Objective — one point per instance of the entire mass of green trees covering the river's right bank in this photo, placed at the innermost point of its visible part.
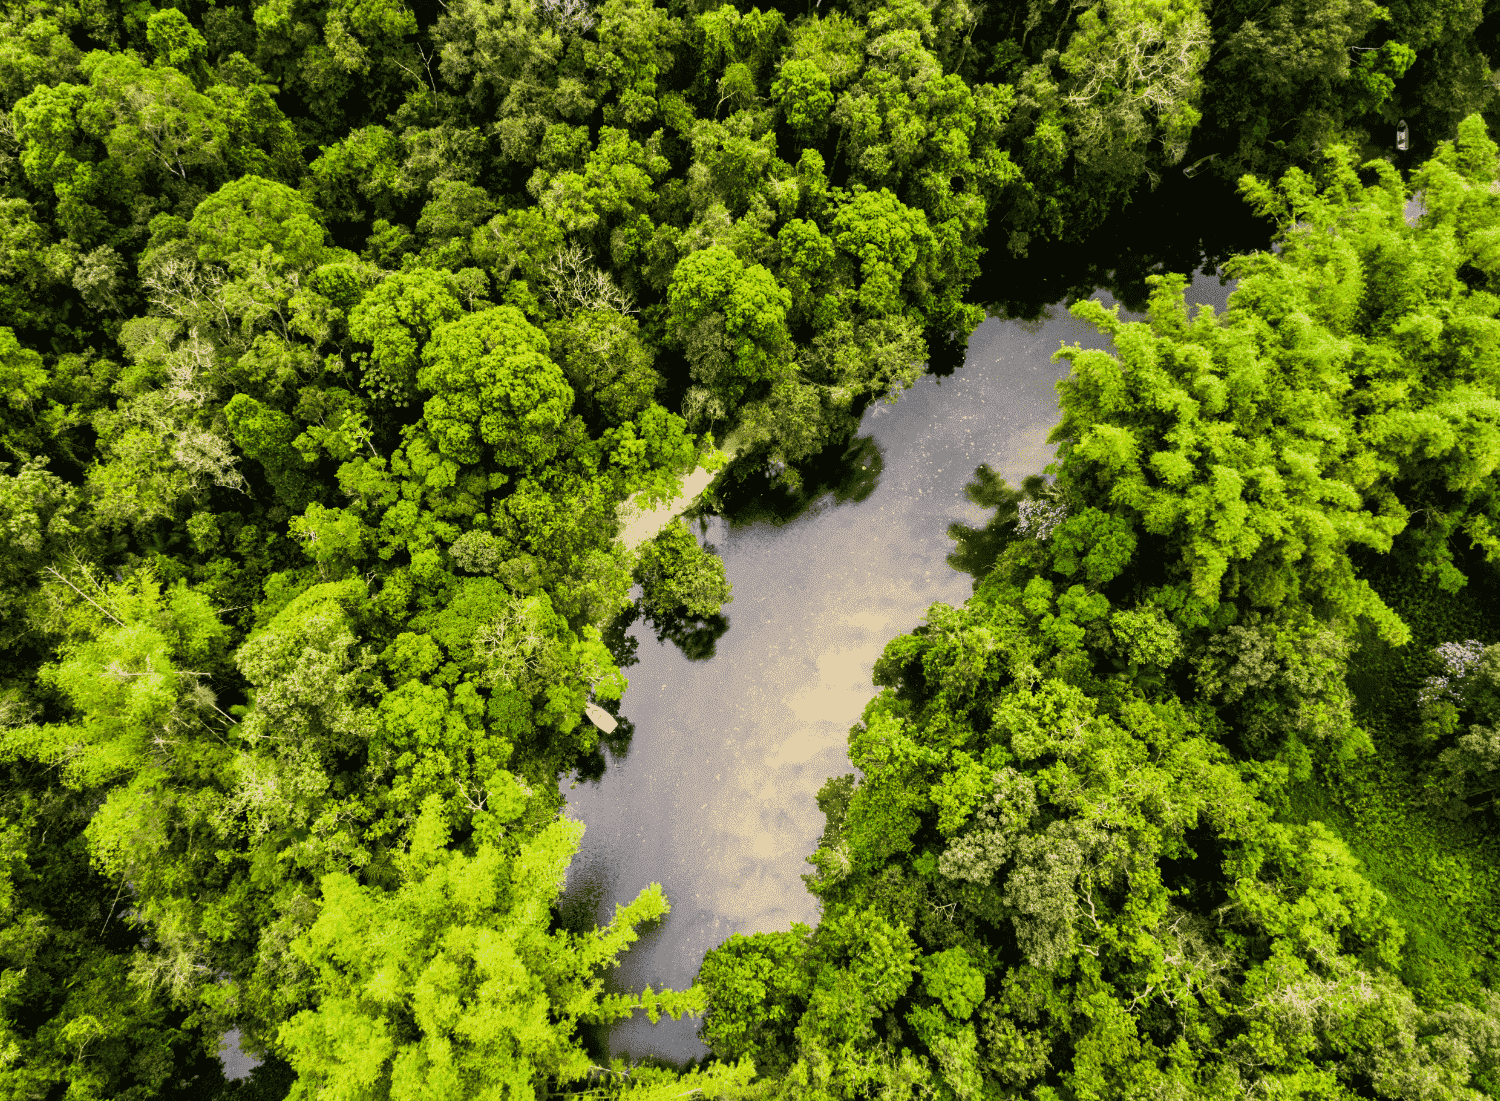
(1183, 803)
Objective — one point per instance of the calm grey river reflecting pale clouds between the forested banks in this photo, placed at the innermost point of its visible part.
(715, 797)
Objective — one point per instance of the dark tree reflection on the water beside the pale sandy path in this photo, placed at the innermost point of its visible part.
(842, 473)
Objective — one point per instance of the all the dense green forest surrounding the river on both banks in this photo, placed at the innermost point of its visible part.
(334, 335)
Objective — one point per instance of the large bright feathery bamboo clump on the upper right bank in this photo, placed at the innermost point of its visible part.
(1231, 442)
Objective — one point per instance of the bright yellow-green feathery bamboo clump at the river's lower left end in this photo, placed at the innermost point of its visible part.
(452, 986)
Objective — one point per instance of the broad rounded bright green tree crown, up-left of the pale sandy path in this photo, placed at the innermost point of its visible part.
(493, 383)
